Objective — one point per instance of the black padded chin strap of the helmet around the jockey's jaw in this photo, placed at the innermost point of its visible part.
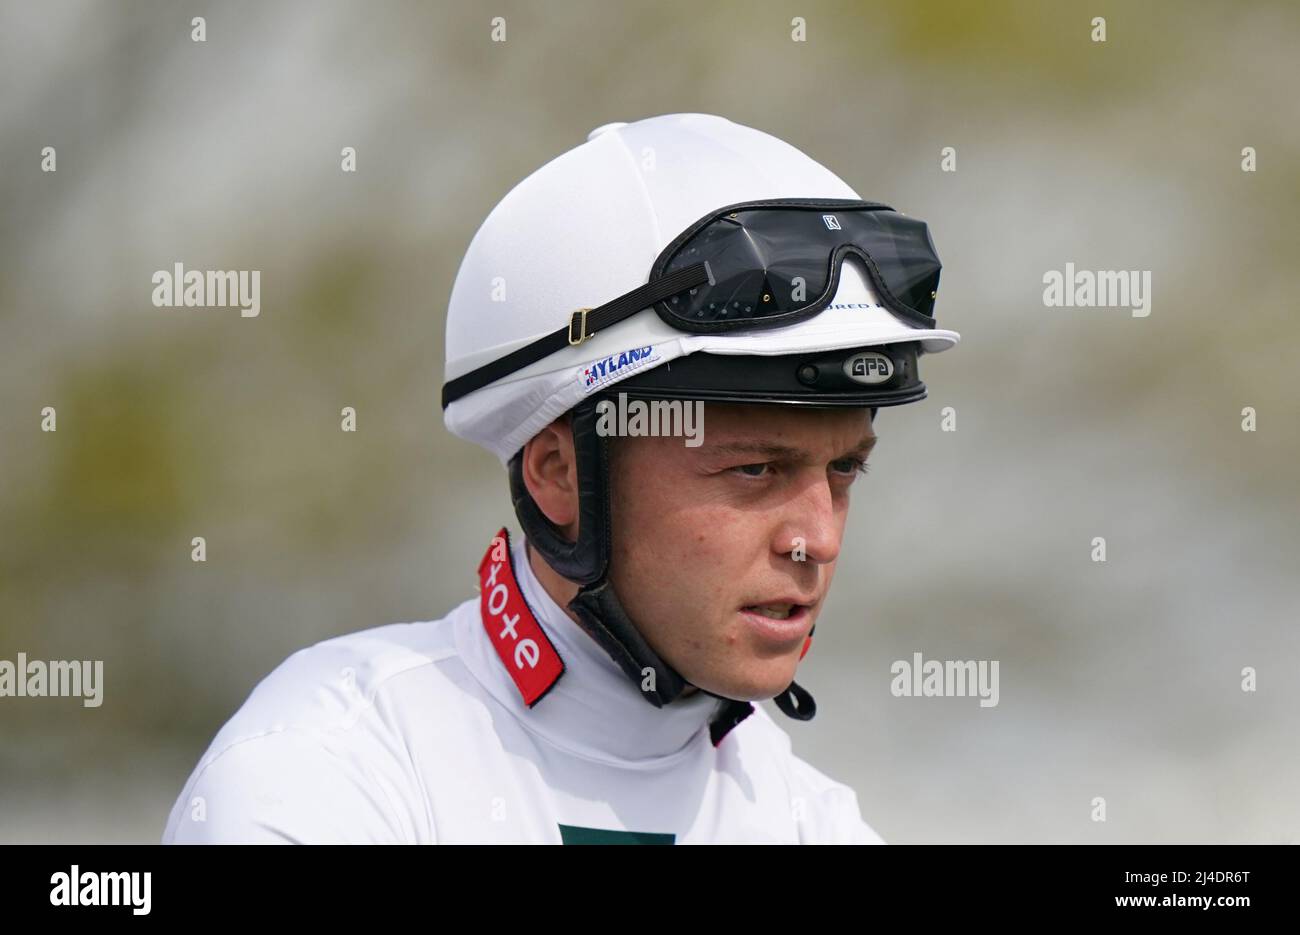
(596, 605)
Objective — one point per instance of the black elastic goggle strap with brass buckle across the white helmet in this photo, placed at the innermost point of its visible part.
(590, 321)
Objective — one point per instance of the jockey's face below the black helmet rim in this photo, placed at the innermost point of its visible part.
(708, 542)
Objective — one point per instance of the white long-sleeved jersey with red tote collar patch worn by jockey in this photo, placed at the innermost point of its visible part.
(421, 734)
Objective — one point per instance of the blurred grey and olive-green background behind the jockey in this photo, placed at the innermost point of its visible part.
(1119, 679)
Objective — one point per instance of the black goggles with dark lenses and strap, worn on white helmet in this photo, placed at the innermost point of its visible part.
(756, 266)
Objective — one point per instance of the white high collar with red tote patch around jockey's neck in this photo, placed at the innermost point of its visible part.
(561, 685)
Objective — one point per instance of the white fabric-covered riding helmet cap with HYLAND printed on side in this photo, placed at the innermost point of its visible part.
(587, 228)
